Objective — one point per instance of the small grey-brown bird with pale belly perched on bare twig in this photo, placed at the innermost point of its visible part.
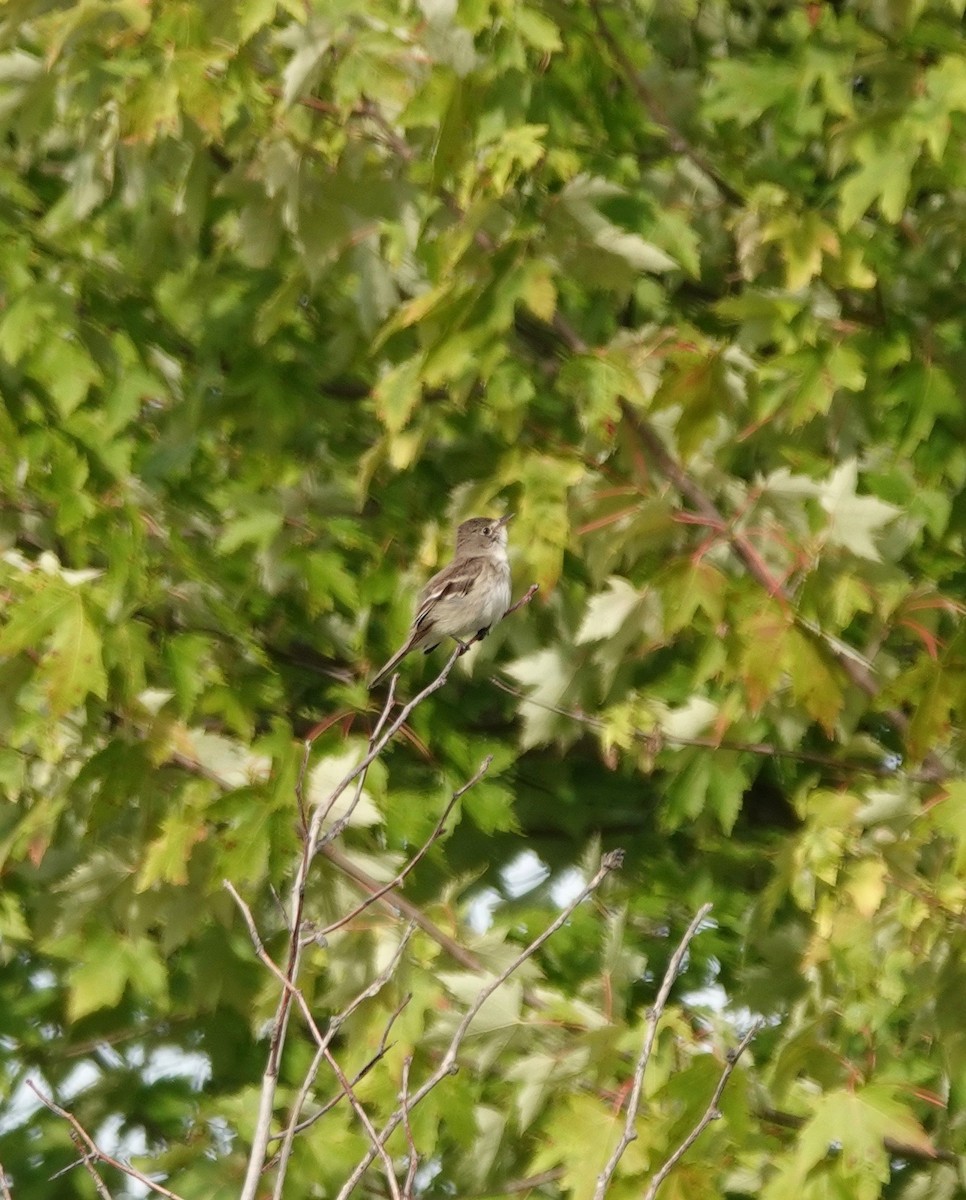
(467, 597)
